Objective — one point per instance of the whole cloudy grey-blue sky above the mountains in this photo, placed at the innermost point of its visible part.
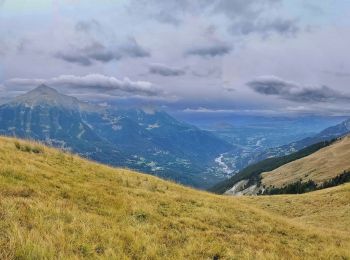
(260, 57)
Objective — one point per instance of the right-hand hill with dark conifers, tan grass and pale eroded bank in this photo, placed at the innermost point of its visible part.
(307, 169)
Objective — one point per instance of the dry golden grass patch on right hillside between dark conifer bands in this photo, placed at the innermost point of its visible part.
(321, 166)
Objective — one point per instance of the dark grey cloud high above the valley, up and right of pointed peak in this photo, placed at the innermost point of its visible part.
(96, 51)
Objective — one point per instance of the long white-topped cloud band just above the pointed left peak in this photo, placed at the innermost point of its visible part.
(91, 82)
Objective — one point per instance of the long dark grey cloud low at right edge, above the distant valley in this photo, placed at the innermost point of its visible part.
(274, 86)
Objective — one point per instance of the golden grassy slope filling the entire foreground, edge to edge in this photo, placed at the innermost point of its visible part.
(58, 205)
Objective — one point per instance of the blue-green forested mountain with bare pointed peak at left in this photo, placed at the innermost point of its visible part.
(145, 140)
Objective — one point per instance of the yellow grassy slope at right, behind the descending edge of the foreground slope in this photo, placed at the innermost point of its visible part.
(327, 209)
